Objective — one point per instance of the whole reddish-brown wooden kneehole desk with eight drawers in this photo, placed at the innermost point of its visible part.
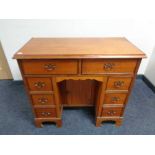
(73, 72)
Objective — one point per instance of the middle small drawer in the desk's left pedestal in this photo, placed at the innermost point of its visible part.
(43, 99)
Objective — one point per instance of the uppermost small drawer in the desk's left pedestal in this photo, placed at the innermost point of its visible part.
(39, 84)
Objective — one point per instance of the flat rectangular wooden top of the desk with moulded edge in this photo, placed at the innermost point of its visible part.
(74, 48)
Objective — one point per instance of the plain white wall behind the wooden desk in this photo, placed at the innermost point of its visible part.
(15, 33)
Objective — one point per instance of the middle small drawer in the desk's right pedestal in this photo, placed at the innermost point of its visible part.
(115, 98)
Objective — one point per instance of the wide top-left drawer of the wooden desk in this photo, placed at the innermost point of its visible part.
(50, 66)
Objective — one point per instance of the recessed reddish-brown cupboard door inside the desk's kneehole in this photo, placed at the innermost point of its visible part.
(72, 96)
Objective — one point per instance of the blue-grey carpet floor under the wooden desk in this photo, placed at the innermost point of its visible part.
(16, 116)
